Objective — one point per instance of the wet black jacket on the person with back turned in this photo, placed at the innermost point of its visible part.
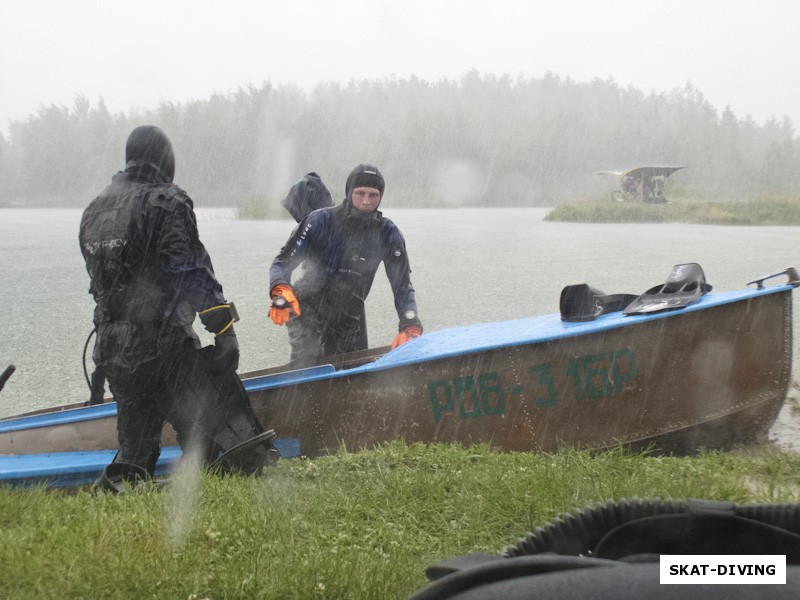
(149, 271)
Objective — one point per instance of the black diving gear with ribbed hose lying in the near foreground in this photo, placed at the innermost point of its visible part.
(613, 552)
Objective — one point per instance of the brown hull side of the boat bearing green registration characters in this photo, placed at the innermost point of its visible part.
(707, 378)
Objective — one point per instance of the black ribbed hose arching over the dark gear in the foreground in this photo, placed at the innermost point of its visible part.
(578, 532)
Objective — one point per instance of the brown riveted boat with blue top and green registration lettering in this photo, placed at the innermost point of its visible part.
(712, 374)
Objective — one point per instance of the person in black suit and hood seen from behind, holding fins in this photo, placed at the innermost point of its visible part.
(150, 275)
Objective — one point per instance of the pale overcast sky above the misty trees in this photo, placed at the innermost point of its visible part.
(742, 53)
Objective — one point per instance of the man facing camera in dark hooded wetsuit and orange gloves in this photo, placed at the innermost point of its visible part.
(341, 249)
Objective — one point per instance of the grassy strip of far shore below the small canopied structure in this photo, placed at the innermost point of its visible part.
(760, 211)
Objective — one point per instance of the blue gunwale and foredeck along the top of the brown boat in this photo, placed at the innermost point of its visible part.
(469, 339)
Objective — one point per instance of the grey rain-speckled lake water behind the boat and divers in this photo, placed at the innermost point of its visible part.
(468, 265)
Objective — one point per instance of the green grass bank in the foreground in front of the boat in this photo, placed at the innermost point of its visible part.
(353, 525)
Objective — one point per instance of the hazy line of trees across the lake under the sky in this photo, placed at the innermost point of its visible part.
(480, 140)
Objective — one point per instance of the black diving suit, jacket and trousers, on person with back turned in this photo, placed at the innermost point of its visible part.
(149, 275)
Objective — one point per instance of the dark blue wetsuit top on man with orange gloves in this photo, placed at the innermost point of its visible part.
(341, 249)
